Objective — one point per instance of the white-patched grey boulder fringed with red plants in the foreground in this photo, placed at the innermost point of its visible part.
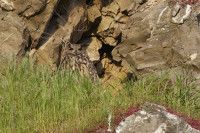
(154, 118)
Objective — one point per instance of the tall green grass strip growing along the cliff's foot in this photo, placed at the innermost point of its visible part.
(34, 100)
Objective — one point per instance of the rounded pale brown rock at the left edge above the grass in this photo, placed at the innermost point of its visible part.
(14, 36)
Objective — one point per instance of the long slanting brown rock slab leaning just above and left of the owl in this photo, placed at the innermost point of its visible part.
(71, 30)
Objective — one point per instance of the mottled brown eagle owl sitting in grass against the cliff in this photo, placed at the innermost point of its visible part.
(75, 56)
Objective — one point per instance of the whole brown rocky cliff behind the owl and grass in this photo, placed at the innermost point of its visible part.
(124, 38)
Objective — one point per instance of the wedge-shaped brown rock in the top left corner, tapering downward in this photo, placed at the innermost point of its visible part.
(36, 14)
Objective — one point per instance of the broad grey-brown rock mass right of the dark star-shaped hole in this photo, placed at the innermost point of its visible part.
(150, 40)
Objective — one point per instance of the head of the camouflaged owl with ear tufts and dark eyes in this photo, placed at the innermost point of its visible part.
(74, 49)
